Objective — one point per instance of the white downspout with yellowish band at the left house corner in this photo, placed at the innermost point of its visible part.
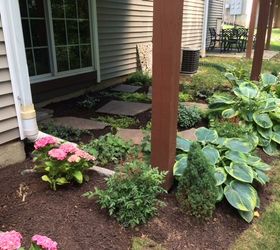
(14, 41)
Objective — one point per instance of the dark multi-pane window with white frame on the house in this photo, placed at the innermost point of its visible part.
(57, 36)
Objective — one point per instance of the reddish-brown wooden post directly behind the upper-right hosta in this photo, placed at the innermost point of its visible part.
(260, 39)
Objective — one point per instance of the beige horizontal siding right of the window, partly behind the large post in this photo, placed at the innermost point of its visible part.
(122, 25)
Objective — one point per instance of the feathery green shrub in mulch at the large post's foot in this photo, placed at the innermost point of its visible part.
(131, 193)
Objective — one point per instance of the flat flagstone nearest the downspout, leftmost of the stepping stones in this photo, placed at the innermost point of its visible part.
(77, 123)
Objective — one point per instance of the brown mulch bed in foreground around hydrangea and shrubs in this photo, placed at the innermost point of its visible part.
(78, 223)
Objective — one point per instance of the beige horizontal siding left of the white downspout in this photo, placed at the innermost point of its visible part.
(8, 119)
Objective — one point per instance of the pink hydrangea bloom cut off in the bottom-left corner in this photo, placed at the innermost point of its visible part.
(10, 240)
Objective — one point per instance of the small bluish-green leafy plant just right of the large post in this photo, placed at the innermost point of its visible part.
(188, 116)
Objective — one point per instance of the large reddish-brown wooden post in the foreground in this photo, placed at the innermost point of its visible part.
(167, 32)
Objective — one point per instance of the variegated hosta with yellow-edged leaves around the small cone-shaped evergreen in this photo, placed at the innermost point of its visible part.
(236, 168)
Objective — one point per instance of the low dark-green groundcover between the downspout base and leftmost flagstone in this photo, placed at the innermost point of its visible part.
(65, 133)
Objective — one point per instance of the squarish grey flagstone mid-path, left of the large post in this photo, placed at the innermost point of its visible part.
(124, 108)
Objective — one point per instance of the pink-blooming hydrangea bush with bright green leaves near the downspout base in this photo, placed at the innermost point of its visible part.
(61, 163)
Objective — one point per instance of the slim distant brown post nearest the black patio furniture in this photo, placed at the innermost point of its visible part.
(252, 28)
